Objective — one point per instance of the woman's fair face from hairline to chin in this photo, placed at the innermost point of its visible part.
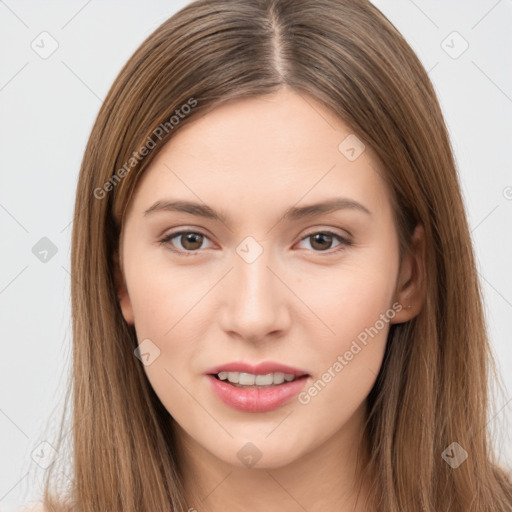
(255, 274)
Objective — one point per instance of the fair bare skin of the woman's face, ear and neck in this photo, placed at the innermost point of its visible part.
(302, 302)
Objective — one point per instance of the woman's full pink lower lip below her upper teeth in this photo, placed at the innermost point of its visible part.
(256, 400)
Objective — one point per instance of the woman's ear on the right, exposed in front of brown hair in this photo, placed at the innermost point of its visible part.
(410, 288)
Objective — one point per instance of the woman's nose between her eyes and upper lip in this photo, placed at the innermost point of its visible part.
(256, 301)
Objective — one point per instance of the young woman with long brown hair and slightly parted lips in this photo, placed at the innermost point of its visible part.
(275, 301)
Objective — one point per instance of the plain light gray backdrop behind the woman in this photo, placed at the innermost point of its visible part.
(47, 108)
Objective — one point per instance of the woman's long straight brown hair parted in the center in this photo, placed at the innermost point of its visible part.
(432, 389)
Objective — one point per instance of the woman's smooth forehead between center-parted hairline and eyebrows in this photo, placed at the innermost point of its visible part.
(258, 152)
